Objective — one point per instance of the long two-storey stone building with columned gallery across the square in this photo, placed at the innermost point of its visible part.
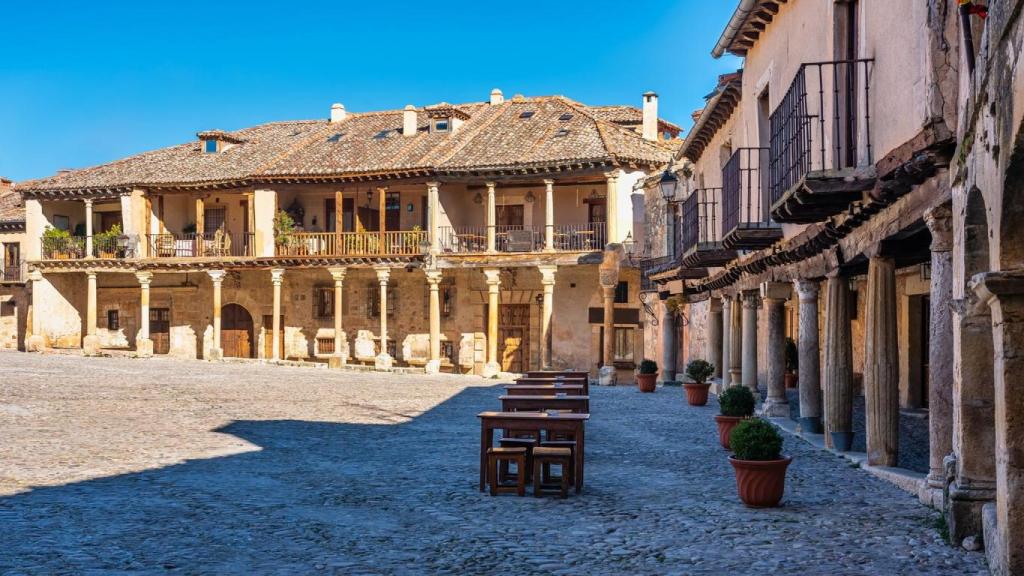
(476, 238)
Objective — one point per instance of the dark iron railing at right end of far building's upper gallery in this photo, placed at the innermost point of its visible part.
(570, 238)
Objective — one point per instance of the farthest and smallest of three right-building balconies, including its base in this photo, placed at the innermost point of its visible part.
(702, 244)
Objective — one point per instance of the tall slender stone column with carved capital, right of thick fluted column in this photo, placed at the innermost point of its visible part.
(941, 346)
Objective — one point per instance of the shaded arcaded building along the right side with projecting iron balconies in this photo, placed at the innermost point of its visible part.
(857, 190)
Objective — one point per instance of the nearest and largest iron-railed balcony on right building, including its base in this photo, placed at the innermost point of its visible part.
(820, 133)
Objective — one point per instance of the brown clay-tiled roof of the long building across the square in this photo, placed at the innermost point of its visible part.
(500, 137)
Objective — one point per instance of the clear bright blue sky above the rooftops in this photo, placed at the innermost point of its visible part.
(82, 84)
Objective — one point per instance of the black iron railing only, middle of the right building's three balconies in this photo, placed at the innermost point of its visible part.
(744, 190)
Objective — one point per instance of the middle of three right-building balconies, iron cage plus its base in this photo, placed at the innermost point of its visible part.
(746, 223)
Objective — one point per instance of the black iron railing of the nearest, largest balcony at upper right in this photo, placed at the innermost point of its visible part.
(823, 122)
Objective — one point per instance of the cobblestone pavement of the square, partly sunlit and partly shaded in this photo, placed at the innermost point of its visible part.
(114, 466)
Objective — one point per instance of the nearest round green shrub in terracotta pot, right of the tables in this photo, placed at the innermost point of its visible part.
(758, 461)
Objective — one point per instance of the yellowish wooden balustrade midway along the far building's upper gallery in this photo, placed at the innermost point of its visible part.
(405, 243)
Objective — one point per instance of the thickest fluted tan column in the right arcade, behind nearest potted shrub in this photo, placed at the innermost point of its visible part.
(882, 367)
